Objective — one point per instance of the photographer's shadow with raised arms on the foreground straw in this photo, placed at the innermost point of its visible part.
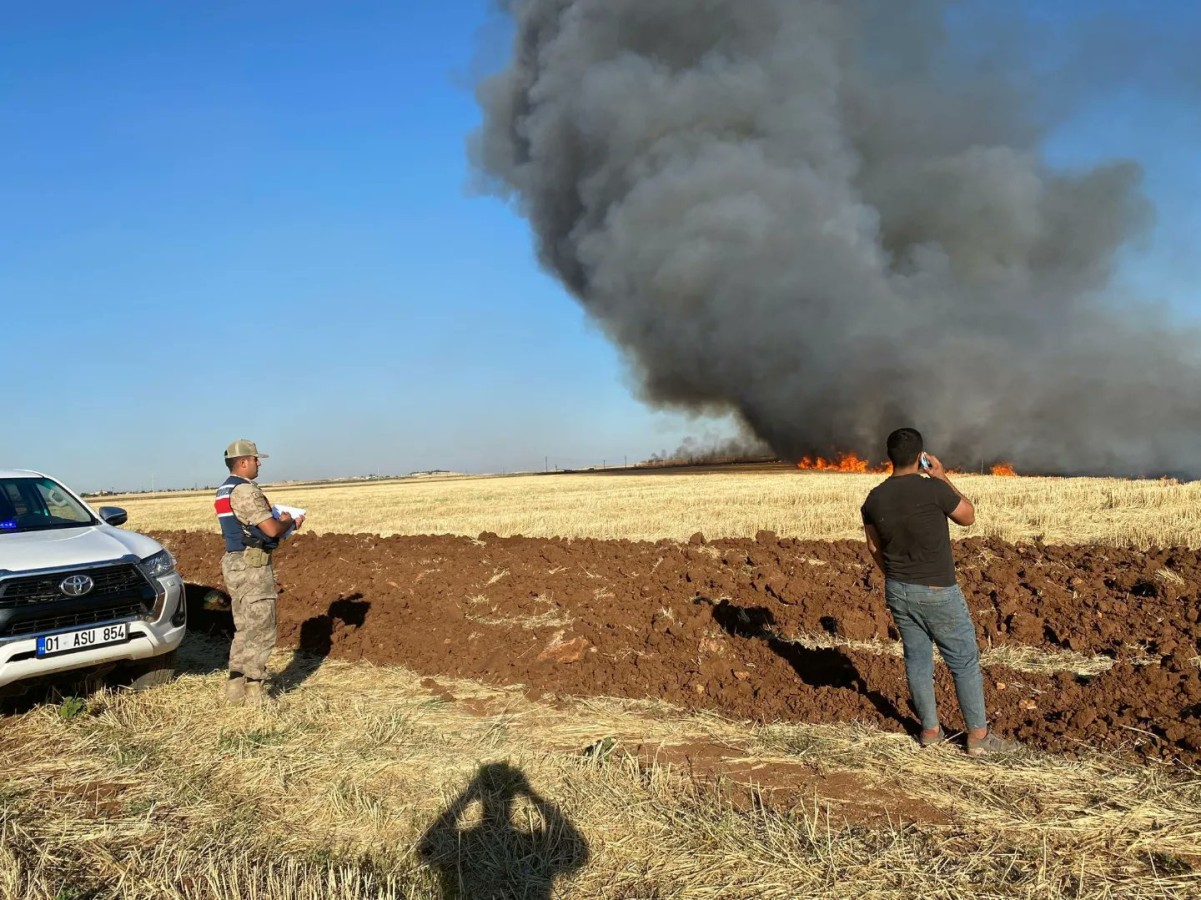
(500, 855)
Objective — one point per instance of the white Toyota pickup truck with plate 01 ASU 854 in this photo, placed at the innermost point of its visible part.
(76, 592)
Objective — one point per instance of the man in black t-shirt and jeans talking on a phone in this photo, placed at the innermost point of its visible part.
(905, 521)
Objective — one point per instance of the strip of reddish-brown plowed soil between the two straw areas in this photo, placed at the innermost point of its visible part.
(712, 625)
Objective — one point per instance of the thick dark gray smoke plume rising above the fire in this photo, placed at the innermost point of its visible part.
(805, 212)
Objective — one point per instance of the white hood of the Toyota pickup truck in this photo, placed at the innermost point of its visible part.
(29, 551)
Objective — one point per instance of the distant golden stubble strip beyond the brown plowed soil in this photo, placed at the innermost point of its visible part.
(649, 508)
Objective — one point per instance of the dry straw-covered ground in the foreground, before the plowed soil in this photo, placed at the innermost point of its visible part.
(333, 792)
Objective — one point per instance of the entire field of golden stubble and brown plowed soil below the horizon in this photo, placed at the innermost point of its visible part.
(616, 706)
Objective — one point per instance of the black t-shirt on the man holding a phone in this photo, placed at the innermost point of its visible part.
(910, 515)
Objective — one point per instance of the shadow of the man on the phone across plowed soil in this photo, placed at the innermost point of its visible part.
(818, 667)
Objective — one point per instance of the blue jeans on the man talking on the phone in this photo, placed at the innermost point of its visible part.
(927, 617)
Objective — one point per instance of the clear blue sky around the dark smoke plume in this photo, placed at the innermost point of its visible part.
(253, 219)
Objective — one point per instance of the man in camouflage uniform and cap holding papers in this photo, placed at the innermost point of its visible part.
(252, 533)
